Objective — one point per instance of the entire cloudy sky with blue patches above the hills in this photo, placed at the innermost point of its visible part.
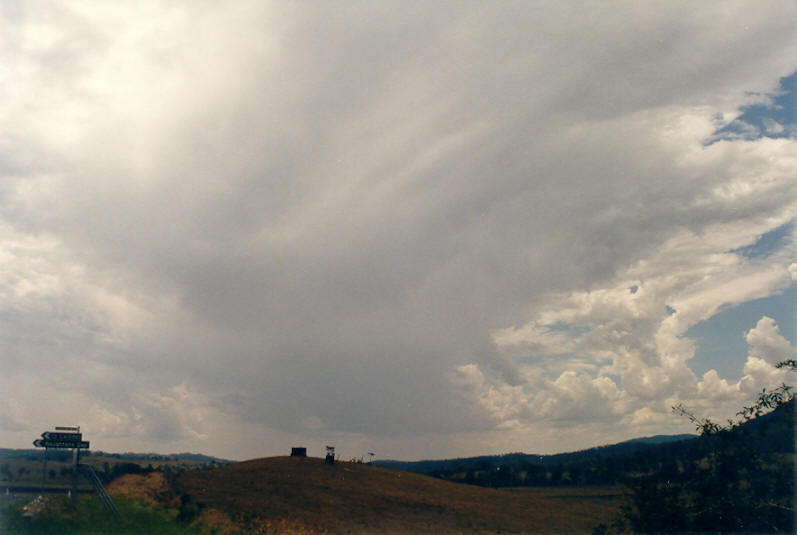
(419, 229)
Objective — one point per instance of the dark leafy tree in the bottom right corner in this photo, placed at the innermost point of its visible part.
(743, 483)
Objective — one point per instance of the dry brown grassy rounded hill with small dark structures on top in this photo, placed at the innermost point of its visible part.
(307, 495)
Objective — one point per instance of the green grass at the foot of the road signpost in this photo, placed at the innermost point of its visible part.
(91, 518)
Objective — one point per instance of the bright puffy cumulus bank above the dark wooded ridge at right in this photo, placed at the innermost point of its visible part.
(633, 332)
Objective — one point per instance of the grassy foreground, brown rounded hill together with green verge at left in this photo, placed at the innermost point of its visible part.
(307, 496)
